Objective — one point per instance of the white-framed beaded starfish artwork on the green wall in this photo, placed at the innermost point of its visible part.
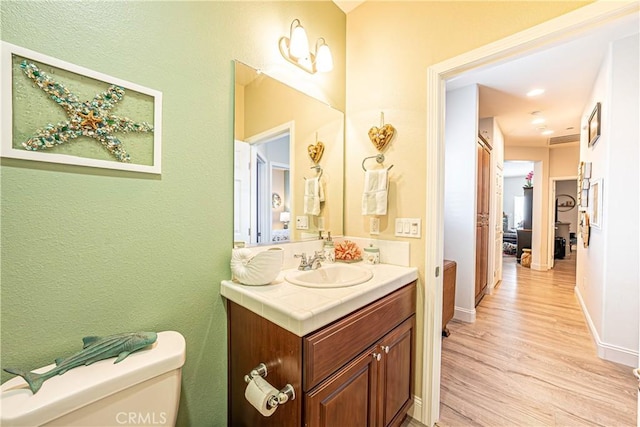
(58, 112)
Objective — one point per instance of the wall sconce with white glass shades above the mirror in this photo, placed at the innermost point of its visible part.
(295, 49)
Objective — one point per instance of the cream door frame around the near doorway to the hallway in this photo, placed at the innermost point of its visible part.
(558, 30)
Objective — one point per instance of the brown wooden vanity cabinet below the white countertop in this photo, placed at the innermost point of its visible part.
(357, 371)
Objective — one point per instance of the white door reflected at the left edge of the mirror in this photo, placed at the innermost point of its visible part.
(241, 192)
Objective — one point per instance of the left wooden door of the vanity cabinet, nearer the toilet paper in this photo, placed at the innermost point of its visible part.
(347, 398)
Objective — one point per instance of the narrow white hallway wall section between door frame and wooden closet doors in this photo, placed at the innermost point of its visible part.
(460, 194)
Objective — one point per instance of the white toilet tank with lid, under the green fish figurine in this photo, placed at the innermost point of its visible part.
(141, 390)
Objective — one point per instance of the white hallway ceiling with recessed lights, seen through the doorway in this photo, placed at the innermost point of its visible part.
(567, 71)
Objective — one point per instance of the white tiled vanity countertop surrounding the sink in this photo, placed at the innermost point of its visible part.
(303, 310)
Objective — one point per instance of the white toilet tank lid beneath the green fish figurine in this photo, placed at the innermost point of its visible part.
(84, 385)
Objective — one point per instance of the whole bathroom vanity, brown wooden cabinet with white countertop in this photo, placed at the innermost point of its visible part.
(347, 352)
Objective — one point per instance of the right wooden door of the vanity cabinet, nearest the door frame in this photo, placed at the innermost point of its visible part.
(396, 373)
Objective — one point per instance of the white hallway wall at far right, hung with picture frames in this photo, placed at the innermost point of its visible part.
(608, 272)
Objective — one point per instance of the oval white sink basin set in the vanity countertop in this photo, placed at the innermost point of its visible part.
(330, 276)
